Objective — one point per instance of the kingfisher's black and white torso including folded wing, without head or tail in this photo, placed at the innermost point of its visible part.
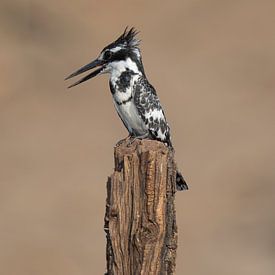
(139, 108)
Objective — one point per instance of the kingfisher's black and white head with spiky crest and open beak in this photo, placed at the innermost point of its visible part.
(123, 54)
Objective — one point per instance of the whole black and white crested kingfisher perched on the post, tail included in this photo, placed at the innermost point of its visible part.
(135, 99)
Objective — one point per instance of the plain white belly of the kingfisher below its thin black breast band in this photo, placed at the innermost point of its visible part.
(129, 115)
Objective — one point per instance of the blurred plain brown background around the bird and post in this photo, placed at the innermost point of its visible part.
(212, 63)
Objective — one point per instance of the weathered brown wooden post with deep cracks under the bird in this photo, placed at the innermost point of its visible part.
(140, 219)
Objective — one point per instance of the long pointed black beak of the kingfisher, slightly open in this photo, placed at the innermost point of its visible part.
(86, 68)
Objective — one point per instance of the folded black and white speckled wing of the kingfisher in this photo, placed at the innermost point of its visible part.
(150, 110)
